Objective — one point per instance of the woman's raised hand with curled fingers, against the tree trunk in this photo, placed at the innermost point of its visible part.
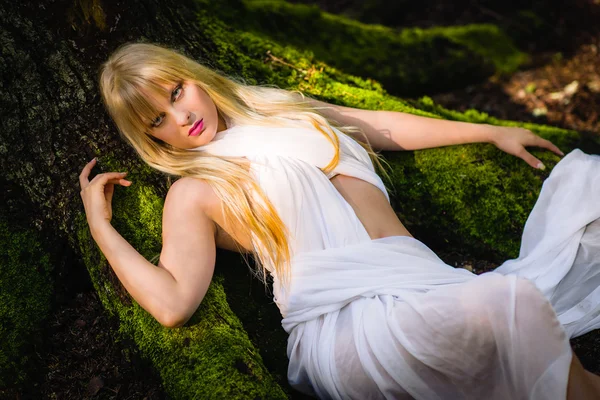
(97, 193)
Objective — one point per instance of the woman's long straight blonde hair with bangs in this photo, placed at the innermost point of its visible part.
(137, 70)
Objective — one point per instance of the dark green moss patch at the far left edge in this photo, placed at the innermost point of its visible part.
(25, 300)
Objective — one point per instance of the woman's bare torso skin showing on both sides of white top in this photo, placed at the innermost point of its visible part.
(368, 202)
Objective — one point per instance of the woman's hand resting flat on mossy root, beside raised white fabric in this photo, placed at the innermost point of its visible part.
(513, 140)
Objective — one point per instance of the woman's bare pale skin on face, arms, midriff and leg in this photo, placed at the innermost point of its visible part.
(193, 224)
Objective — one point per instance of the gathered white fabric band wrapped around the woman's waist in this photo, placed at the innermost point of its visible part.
(325, 280)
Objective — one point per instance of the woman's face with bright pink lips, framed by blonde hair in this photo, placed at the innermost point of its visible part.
(188, 119)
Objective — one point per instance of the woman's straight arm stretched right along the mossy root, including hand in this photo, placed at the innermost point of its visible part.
(394, 130)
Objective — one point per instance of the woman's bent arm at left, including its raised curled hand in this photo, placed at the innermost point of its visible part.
(172, 291)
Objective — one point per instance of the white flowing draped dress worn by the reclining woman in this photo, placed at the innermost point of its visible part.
(386, 318)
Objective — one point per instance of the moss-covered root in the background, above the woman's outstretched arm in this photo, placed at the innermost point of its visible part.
(407, 62)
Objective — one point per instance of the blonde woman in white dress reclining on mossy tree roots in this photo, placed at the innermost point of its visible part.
(371, 312)
